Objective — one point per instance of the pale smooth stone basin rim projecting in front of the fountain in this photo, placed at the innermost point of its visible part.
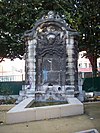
(22, 112)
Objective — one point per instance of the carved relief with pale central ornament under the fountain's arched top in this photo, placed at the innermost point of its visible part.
(50, 34)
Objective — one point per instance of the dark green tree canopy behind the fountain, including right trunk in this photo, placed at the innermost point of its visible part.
(18, 16)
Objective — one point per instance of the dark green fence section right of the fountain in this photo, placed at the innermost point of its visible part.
(91, 84)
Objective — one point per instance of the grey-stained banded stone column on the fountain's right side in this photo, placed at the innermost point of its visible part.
(70, 65)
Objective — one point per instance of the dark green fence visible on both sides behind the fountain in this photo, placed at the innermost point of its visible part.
(89, 85)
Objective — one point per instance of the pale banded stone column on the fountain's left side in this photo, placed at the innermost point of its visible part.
(31, 64)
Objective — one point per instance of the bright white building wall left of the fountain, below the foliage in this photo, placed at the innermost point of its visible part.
(12, 70)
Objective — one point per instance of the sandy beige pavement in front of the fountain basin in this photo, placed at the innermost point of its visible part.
(90, 120)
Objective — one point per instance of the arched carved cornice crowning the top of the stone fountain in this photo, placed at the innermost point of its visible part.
(51, 22)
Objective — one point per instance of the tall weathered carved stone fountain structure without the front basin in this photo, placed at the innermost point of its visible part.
(51, 59)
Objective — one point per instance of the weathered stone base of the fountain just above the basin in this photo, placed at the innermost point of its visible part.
(47, 93)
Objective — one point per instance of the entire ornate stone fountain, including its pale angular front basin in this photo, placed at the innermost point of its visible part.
(51, 72)
